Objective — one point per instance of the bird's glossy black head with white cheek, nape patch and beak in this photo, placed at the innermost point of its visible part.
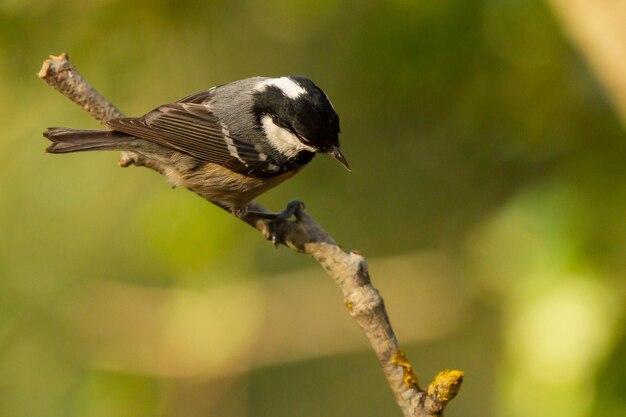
(297, 116)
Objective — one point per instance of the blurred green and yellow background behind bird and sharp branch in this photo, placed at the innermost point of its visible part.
(488, 193)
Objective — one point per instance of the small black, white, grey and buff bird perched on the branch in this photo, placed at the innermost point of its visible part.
(230, 143)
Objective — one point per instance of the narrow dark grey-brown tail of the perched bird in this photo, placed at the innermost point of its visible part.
(76, 140)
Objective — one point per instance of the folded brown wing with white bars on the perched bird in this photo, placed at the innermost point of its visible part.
(192, 128)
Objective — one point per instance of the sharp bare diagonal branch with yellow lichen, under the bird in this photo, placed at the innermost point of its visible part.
(304, 235)
